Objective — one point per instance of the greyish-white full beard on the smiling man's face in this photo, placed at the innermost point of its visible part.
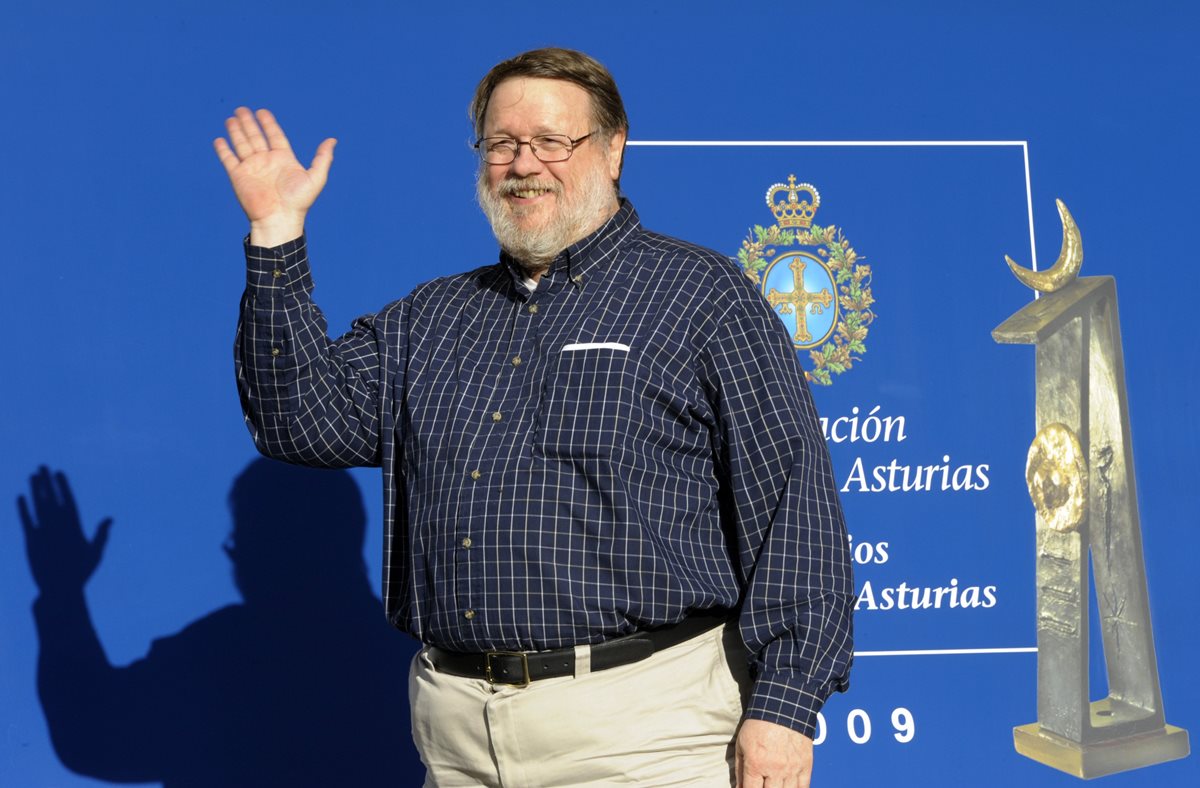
(573, 220)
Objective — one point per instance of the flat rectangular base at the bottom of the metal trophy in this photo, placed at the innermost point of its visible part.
(1103, 759)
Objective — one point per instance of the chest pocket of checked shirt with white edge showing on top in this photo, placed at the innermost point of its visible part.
(586, 402)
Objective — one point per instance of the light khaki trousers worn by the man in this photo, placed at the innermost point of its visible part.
(669, 720)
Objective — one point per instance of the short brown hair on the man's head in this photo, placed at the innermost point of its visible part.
(568, 65)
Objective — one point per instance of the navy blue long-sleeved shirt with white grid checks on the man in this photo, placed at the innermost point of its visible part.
(632, 441)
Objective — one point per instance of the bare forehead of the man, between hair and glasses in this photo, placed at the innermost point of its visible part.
(537, 106)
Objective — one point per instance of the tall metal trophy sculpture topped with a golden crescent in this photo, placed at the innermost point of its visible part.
(1082, 482)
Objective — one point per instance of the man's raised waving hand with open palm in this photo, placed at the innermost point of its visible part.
(273, 187)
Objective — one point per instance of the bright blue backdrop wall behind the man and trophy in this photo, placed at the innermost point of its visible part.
(124, 270)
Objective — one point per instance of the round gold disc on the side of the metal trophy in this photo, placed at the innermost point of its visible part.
(1057, 474)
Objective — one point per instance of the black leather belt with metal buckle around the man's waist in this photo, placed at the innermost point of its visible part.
(523, 667)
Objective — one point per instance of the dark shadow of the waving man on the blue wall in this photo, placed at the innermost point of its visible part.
(303, 684)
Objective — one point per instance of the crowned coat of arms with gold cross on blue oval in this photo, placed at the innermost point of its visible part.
(814, 279)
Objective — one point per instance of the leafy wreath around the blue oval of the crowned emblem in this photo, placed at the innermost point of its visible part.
(851, 278)
